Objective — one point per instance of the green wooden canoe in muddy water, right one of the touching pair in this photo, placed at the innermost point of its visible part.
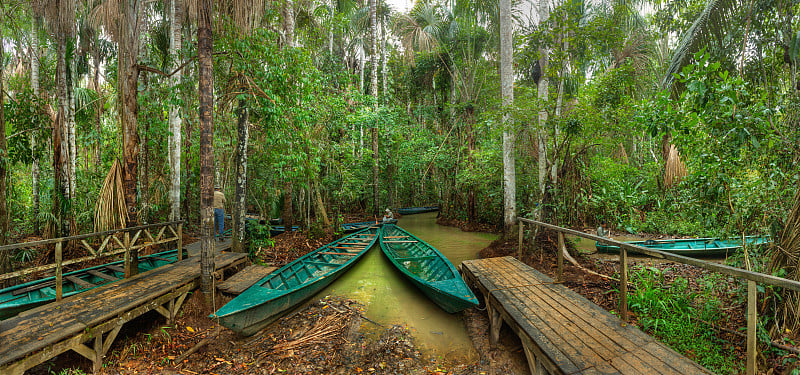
(427, 268)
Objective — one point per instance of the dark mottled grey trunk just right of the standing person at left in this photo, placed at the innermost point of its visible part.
(240, 207)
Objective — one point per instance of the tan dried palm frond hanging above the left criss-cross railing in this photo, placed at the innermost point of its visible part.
(110, 210)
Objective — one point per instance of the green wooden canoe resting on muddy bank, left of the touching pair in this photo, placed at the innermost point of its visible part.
(286, 287)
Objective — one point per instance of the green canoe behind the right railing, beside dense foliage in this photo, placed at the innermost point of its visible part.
(691, 246)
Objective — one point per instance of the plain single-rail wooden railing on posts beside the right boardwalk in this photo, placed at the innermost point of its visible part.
(751, 277)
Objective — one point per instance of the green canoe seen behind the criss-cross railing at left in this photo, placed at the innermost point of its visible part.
(18, 298)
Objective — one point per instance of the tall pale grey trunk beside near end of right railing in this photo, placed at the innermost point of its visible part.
(509, 137)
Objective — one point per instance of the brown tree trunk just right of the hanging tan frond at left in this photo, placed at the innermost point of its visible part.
(128, 76)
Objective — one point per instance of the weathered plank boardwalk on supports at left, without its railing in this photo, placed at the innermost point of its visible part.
(96, 316)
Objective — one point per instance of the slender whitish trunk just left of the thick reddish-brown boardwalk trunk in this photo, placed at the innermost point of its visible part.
(174, 118)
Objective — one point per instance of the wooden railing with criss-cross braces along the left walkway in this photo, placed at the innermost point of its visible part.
(108, 243)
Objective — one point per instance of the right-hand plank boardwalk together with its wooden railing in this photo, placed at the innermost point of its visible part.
(564, 333)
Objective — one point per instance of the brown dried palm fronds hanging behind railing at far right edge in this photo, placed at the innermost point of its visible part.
(786, 257)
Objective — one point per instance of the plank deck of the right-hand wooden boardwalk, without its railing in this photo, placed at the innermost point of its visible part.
(562, 332)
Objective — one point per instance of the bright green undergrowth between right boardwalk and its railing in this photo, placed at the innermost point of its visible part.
(672, 312)
